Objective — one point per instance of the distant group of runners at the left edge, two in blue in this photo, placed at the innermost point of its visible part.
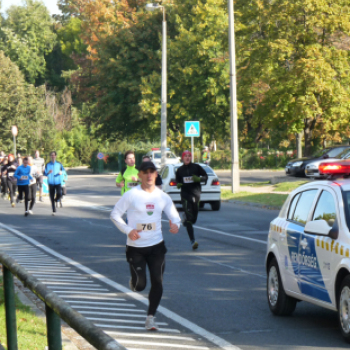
(26, 174)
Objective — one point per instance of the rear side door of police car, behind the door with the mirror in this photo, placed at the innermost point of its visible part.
(290, 236)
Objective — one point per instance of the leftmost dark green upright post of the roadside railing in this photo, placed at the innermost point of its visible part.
(10, 309)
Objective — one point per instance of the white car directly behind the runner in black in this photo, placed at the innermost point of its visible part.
(211, 192)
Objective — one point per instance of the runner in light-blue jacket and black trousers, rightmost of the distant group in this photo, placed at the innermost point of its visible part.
(53, 171)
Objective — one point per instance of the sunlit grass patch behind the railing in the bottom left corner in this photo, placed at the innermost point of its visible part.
(31, 330)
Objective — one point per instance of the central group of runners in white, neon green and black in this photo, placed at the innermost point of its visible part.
(143, 202)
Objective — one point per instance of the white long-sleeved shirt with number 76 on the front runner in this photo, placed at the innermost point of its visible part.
(144, 212)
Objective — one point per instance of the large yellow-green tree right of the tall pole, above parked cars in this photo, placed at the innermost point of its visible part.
(293, 69)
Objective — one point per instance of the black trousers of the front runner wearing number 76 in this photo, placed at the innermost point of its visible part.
(154, 258)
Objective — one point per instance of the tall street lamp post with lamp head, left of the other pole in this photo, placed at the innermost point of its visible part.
(163, 120)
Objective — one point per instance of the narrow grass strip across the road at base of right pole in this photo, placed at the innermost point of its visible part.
(268, 199)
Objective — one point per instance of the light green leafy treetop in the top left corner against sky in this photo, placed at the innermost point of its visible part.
(26, 37)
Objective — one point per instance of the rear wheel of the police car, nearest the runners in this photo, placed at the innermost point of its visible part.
(279, 302)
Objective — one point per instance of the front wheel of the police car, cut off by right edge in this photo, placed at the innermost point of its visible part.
(344, 308)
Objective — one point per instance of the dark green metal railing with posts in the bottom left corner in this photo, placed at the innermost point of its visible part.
(56, 309)
